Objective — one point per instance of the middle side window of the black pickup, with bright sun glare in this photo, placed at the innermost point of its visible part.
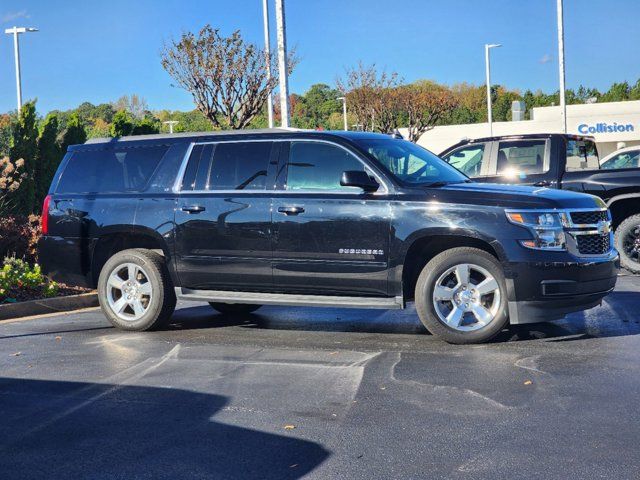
(522, 156)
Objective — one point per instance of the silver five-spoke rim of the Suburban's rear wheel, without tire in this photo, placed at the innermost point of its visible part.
(129, 291)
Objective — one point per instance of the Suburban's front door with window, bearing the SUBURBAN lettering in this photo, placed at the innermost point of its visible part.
(328, 239)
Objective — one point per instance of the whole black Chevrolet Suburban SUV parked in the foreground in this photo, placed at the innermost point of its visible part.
(339, 219)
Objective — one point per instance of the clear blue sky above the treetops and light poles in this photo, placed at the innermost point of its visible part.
(97, 51)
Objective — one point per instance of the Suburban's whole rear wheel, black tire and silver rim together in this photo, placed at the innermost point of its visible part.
(135, 291)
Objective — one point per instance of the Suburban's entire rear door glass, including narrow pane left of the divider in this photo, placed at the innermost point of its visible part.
(228, 166)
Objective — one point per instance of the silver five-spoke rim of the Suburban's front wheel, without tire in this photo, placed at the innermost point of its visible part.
(466, 297)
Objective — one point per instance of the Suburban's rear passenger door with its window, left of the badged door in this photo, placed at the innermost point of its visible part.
(223, 217)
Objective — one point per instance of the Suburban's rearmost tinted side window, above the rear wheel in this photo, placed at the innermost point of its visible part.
(110, 171)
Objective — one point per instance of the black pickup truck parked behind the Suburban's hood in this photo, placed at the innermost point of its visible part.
(568, 162)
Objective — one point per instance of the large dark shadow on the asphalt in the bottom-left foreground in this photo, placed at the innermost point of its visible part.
(56, 429)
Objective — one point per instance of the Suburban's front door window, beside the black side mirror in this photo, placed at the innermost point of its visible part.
(319, 166)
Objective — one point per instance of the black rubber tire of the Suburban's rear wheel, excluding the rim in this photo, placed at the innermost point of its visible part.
(162, 302)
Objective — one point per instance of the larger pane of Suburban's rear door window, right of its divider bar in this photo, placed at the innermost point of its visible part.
(239, 166)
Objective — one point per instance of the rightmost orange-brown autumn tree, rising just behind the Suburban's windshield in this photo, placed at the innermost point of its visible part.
(424, 103)
